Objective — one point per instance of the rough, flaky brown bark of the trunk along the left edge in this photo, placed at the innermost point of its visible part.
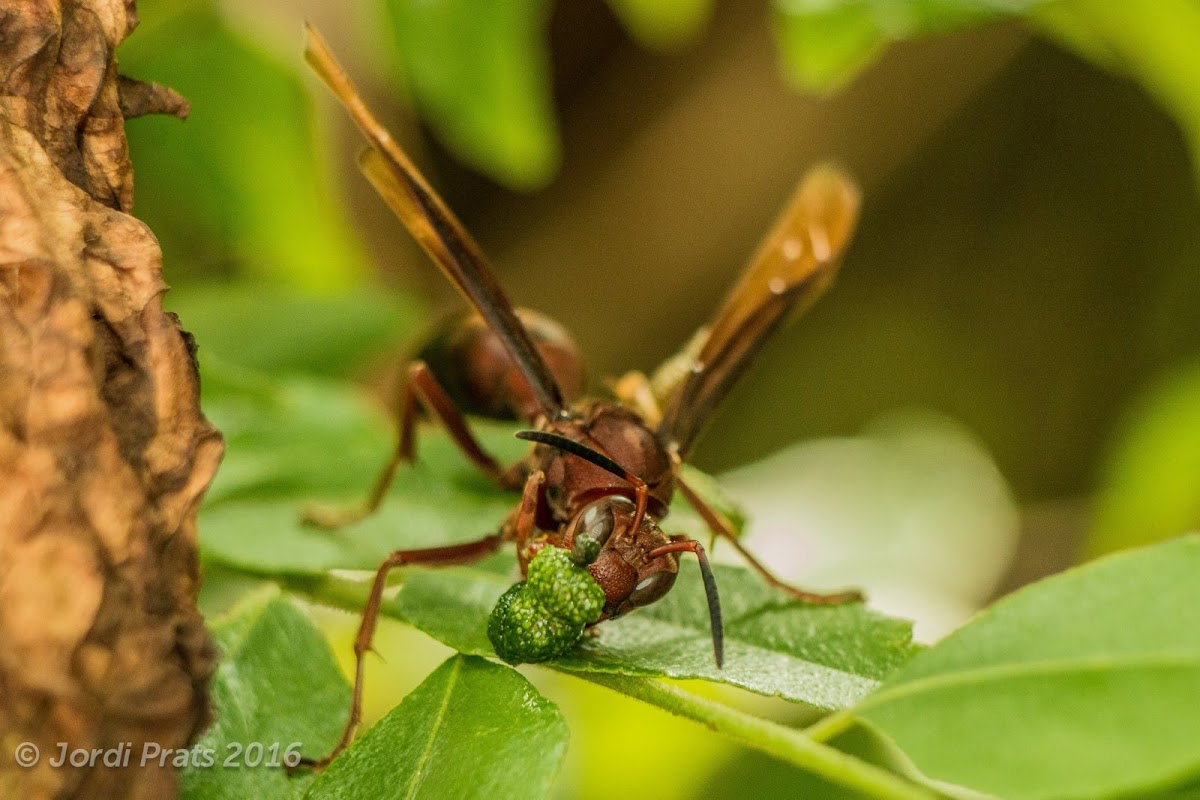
(104, 453)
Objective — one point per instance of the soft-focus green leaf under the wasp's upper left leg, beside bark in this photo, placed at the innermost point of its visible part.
(301, 442)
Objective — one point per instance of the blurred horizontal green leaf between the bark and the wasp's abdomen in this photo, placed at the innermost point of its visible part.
(280, 330)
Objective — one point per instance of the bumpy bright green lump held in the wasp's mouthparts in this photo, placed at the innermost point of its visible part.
(544, 617)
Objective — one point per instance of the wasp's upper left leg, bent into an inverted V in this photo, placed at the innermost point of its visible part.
(421, 390)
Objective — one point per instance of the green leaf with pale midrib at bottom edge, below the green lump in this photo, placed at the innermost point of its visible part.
(472, 730)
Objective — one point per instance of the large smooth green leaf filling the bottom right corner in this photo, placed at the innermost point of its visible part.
(1083, 685)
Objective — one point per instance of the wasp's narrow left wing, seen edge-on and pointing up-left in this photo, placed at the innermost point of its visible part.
(435, 227)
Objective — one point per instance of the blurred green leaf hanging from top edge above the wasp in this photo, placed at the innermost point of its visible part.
(479, 73)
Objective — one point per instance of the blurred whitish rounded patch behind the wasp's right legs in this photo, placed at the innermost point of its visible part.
(914, 512)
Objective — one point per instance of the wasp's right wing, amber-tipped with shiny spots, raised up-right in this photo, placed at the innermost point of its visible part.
(794, 266)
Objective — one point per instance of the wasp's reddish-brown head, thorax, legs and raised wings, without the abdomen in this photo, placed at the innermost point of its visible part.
(607, 468)
